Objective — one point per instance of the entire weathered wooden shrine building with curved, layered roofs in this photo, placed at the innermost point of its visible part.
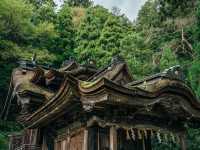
(81, 107)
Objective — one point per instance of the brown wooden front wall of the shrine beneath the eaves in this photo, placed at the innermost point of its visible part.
(97, 138)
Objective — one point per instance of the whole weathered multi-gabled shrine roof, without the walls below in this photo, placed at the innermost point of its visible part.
(81, 89)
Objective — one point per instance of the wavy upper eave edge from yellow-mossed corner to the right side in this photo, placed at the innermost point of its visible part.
(173, 86)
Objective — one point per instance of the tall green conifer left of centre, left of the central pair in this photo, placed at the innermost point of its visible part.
(89, 33)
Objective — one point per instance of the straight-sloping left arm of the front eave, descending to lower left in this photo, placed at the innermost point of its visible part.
(66, 96)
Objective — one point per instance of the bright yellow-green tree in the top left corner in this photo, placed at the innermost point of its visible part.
(15, 24)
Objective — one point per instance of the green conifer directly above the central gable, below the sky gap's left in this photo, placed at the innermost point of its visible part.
(112, 33)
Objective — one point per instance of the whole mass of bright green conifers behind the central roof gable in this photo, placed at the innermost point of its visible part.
(102, 35)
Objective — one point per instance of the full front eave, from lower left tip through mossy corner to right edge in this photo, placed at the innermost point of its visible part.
(104, 92)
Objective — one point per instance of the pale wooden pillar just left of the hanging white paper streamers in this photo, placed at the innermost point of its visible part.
(113, 138)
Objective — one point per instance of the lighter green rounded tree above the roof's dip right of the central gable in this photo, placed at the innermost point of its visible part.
(137, 54)
